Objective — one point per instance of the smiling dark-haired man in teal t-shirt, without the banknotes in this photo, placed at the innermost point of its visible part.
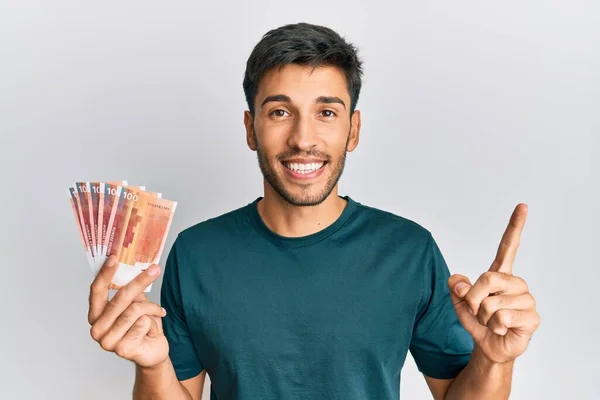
(305, 294)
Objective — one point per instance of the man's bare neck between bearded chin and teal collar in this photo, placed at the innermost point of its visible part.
(288, 220)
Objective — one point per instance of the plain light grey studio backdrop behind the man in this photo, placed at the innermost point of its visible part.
(468, 109)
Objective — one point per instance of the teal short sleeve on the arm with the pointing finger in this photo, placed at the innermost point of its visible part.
(440, 346)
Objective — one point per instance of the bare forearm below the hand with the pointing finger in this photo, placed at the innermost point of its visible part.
(482, 379)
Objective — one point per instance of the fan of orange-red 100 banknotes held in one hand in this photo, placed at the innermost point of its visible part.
(127, 221)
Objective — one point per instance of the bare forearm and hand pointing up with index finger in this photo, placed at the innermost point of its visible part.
(500, 314)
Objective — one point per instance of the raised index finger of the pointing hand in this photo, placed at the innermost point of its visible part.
(507, 250)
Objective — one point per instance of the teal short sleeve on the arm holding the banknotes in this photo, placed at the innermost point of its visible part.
(181, 347)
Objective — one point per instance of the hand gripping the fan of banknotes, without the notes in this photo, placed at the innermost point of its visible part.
(129, 324)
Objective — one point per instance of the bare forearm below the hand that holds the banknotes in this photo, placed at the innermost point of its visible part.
(160, 382)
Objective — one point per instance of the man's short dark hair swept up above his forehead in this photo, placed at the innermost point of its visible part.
(303, 44)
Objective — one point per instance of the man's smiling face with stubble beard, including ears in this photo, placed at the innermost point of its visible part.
(301, 131)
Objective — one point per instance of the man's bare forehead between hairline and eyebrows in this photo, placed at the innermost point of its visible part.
(303, 83)
